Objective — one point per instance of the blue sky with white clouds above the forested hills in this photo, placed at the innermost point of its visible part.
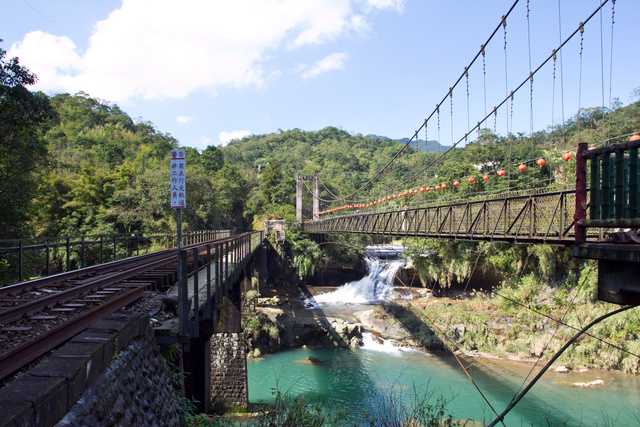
(209, 71)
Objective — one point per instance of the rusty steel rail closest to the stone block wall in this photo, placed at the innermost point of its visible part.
(25, 353)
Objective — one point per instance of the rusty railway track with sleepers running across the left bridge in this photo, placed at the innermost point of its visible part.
(38, 315)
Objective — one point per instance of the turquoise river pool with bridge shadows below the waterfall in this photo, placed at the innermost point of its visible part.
(349, 377)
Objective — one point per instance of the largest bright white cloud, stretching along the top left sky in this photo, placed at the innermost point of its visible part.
(172, 49)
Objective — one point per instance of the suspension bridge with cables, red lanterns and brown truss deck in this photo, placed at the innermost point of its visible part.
(585, 197)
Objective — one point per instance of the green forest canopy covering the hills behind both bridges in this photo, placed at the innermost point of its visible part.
(74, 165)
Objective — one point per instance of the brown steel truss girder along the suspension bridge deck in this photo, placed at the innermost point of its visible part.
(539, 218)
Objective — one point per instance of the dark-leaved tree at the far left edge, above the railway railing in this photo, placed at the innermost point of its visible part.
(23, 152)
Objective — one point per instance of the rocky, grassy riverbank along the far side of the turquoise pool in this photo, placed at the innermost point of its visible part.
(475, 325)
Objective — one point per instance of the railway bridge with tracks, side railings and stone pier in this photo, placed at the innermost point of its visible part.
(62, 332)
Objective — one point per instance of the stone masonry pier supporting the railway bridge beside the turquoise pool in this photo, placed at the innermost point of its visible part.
(228, 371)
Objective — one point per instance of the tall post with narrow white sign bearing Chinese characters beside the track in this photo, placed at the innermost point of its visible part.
(178, 201)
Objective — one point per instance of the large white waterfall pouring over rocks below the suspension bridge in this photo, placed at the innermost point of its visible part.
(376, 286)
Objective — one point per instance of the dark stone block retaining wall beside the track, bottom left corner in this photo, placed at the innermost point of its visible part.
(109, 375)
